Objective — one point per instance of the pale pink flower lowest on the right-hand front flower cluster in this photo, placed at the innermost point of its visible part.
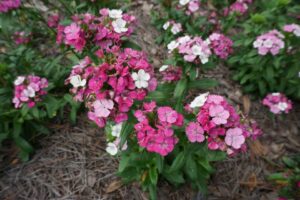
(235, 138)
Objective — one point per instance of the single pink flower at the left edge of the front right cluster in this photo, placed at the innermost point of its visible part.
(195, 132)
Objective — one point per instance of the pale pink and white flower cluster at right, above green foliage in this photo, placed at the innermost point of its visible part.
(270, 42)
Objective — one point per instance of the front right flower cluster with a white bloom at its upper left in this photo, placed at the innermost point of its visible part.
(219, 123)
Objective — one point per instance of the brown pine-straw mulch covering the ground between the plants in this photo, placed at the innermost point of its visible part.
(73, 164)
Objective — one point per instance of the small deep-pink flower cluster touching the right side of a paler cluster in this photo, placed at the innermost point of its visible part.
(221, 45)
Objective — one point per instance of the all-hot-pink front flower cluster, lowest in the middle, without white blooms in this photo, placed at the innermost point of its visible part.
(154, 128)
